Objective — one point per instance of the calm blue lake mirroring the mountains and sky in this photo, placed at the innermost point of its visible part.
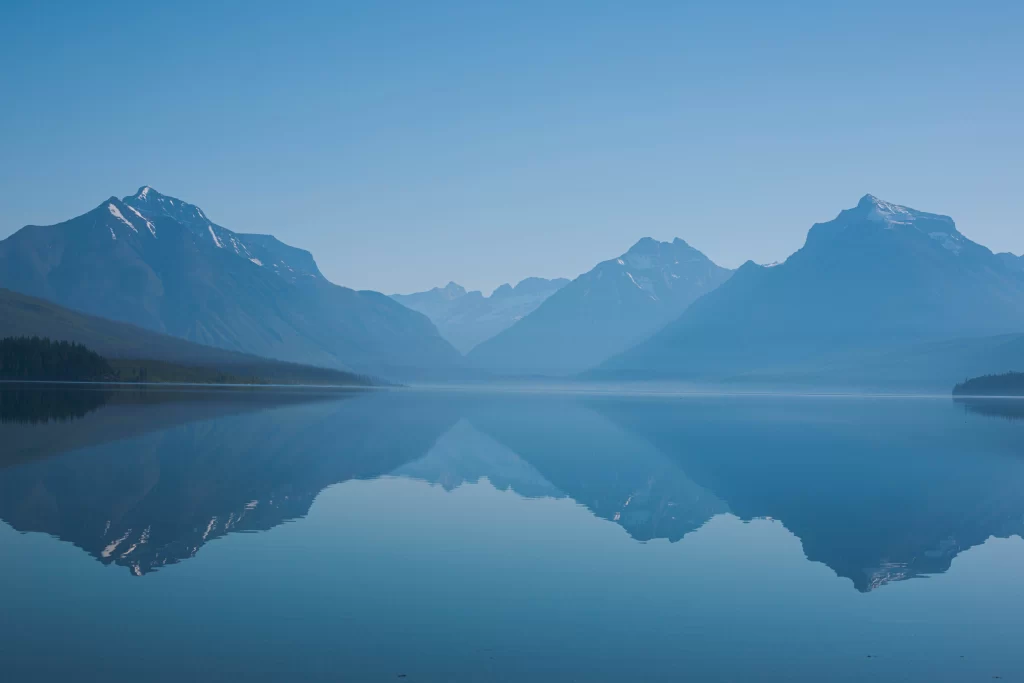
(261, 535)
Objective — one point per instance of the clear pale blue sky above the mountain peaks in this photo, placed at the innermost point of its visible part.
(410, 144)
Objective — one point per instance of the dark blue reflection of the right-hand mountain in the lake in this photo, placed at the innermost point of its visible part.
(878, 490)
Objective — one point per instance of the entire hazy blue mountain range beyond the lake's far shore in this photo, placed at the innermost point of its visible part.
(883, 295)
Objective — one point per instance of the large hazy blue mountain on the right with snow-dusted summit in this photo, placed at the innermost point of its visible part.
(879, 278)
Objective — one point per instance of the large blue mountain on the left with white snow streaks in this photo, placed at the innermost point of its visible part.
(161, 264)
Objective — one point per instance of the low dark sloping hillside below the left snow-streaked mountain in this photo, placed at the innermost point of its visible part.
(23, 316)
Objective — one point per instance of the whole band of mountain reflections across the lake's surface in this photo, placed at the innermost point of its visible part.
(879, 491)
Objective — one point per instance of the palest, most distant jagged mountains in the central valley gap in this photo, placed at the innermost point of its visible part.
(466, 319)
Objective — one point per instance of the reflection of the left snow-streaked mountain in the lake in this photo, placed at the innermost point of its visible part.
(157, 496)
